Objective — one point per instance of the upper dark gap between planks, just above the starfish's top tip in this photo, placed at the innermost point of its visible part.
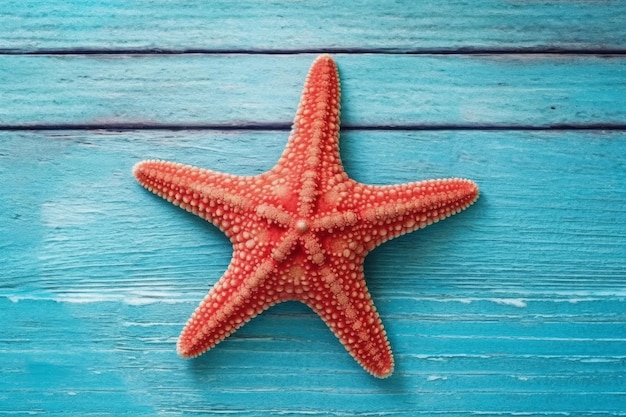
(539, 50)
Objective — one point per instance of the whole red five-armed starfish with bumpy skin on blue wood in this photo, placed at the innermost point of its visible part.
(302, 230)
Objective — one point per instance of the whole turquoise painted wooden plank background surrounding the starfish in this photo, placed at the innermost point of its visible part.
(515, 307)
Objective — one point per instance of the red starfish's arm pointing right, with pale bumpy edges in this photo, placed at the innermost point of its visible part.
(387, 212)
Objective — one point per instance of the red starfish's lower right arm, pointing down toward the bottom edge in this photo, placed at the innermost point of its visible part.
(349, 312)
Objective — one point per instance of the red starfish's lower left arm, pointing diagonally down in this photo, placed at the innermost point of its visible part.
(237, 297)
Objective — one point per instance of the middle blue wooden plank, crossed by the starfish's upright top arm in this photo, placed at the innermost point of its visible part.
(379, 90)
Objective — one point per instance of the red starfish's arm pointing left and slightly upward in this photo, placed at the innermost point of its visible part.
(214, 196)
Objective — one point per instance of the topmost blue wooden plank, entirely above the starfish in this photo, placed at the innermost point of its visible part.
(401, 26)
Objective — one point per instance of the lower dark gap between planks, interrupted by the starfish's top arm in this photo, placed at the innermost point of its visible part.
(287, 127)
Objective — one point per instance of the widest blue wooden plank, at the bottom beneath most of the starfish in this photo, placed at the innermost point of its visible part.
(514, 306)
